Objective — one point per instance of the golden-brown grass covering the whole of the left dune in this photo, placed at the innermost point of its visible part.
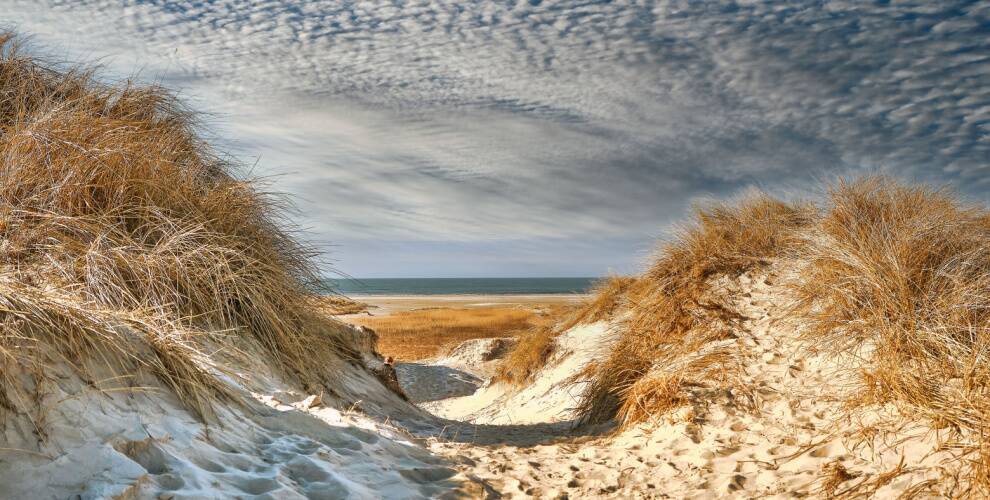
(110, 202)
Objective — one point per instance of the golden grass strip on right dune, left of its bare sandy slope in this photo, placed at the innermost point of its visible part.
(677, 320)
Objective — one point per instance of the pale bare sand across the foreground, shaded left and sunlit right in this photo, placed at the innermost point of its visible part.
(484, 440)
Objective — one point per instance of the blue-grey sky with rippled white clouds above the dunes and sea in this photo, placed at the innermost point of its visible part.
(548, 138)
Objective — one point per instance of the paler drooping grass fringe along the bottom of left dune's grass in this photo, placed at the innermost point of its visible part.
(40, 329)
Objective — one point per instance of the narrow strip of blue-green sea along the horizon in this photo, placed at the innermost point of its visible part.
(459, 286)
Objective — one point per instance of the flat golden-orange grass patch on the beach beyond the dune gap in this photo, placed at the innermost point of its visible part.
(425, 333)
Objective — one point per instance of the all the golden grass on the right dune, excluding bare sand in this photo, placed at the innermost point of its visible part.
(892, 277)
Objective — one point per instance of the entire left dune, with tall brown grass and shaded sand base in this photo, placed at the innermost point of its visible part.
(157, 339)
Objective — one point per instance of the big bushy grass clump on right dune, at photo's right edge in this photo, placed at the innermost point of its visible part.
(899, 276)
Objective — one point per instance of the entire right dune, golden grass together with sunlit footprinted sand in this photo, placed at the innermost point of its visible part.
(774, 349)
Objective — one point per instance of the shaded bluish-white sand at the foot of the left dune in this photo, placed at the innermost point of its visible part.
(144, 444)
